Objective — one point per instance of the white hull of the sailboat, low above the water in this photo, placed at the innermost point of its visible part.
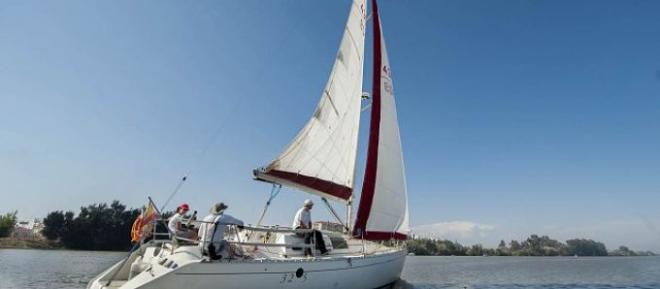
(359, 272)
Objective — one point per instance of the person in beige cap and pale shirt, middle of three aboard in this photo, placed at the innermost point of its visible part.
(212, 230)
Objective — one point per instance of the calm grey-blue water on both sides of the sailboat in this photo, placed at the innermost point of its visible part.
(72, 269)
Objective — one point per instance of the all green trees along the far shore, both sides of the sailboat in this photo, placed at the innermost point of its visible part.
(107, 227)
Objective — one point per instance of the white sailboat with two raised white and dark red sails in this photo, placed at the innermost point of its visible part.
(321, 160)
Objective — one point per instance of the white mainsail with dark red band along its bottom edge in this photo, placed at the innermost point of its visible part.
(321, 158)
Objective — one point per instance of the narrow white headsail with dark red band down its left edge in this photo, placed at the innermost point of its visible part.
(383, 210)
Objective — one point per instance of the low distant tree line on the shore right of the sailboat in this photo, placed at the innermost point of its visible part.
(532, 246)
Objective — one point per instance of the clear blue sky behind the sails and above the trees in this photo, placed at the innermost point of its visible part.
(517, 117)
